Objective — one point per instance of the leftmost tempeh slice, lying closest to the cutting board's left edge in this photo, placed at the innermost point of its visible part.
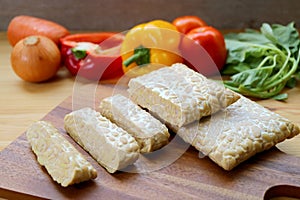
(62, 161)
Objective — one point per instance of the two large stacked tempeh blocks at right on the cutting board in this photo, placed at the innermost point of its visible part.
(239, 128)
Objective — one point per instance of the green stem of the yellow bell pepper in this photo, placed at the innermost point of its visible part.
(141, 56)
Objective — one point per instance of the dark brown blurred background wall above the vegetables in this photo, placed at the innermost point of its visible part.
(120, 15)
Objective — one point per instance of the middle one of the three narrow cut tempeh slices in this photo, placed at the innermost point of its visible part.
(110, 145)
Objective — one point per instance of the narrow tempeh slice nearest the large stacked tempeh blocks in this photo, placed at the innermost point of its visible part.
(149, 132)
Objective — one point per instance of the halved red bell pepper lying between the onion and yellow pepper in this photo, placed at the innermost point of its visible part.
(95, 56)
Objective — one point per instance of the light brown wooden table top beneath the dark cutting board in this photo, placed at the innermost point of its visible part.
(23, 103)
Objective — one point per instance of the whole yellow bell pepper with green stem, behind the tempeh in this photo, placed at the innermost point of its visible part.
(150, 46)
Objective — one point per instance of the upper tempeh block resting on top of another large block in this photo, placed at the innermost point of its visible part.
(178, 95)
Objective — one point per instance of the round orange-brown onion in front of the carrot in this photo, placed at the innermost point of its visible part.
(35, 58)
